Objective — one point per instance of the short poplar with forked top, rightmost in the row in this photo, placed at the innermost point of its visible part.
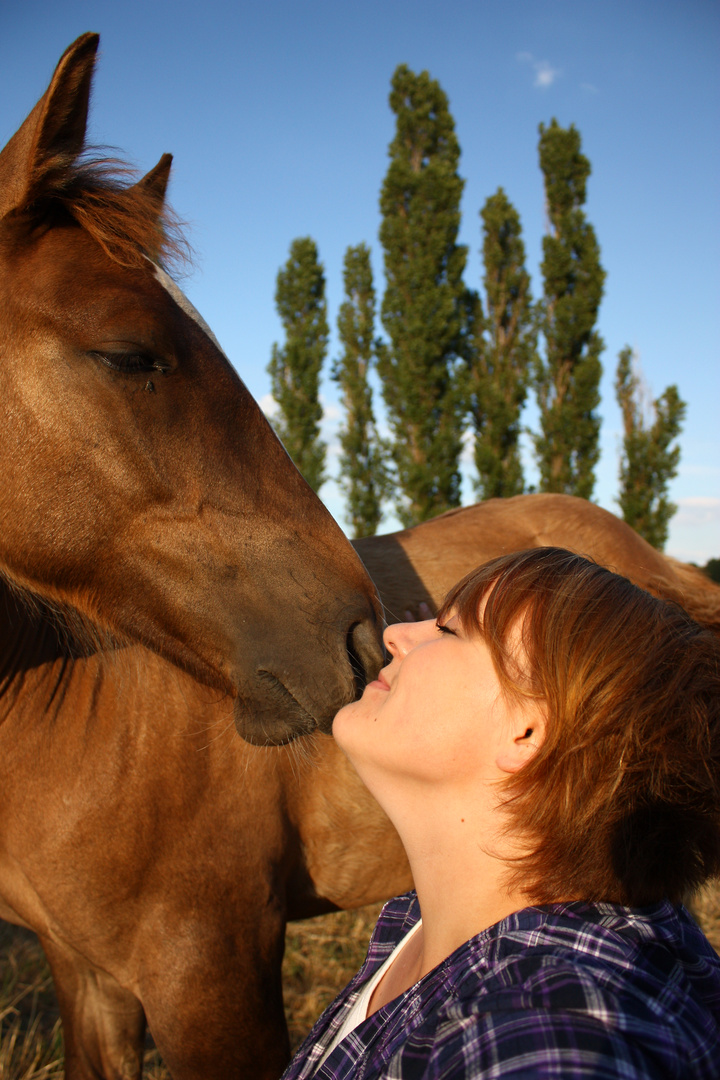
(649, 463)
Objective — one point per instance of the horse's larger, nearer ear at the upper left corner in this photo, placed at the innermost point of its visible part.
(43, 150)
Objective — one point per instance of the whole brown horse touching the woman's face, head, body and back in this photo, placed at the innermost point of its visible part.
(156, 854)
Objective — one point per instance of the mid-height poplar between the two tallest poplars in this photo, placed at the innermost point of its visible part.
(504, 361)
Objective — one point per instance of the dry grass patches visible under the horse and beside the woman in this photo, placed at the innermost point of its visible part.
(321, 955)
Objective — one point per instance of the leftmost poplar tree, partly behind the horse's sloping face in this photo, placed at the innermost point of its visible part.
(295, 368)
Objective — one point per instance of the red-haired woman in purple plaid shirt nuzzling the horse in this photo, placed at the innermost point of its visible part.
(549, 750)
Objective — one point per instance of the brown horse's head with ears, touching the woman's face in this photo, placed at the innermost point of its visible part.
(144, 491)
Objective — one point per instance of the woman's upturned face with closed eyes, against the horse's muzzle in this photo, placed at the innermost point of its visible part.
(436, 713)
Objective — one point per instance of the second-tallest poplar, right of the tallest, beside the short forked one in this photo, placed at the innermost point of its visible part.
(567, 382)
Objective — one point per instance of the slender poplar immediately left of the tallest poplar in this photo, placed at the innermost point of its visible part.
(363, 476)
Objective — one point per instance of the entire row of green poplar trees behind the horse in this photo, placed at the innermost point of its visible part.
(454, 360)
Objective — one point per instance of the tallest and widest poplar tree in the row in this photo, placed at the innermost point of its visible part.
(426, 307)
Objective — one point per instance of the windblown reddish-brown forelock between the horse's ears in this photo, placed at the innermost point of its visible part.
(126, 219)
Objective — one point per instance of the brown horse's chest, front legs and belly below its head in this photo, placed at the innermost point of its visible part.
(158, 856)
